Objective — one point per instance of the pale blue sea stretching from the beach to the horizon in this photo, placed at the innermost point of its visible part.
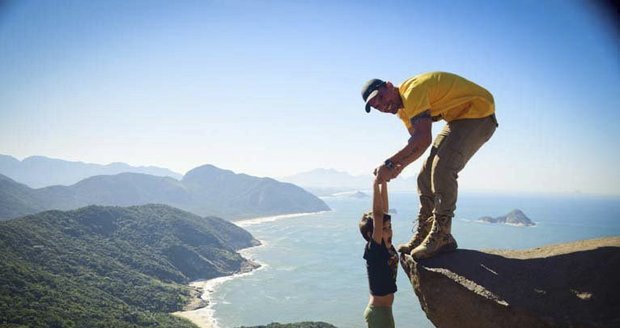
(313, 267)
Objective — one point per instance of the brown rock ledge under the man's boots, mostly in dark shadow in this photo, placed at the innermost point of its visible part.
(565, 285)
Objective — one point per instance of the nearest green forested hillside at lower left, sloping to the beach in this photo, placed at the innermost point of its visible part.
(111, 266)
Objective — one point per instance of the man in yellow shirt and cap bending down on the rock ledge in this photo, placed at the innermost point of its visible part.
(469, 111)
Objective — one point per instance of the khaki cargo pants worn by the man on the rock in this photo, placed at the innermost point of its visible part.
(453, 147)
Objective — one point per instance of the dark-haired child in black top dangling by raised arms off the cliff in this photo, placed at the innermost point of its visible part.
(381, 259)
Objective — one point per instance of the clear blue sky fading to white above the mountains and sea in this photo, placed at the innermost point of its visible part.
(271, 88)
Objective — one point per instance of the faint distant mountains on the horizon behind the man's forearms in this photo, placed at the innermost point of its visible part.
(323, 182)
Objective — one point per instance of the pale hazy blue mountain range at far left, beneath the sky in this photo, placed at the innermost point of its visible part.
(40, 171)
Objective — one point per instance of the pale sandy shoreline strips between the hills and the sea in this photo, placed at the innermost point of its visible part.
(200, 308)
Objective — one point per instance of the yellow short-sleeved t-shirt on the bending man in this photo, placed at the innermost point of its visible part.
(447, 95)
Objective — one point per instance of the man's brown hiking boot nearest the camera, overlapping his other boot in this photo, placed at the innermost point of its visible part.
(438, 240)
